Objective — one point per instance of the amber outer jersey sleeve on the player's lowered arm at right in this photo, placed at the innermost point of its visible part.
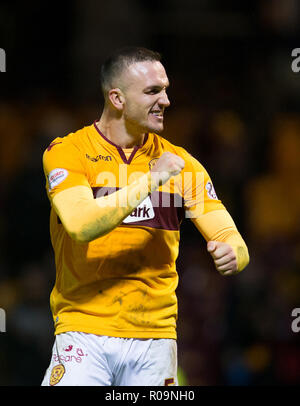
(198, 191)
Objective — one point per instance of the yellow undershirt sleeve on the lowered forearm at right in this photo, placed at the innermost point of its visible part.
(219, 226)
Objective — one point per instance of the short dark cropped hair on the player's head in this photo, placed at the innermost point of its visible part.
(121, 59)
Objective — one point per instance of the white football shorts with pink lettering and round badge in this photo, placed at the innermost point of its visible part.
(80, 359)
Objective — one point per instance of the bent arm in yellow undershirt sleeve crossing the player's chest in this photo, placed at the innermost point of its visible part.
(86, 218)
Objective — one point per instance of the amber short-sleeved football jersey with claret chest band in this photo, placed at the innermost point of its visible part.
(123, 283)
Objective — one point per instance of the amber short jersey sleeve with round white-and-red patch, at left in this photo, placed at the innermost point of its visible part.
(63, 167)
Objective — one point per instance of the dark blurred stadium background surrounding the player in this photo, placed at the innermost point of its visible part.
(235, 106)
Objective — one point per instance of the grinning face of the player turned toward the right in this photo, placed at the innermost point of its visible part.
(145, 85)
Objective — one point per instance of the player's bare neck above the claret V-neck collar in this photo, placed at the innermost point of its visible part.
(115, 129)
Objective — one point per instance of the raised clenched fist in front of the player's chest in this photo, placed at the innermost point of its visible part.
(167, 166)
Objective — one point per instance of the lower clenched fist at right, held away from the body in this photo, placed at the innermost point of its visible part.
(224, 257)
